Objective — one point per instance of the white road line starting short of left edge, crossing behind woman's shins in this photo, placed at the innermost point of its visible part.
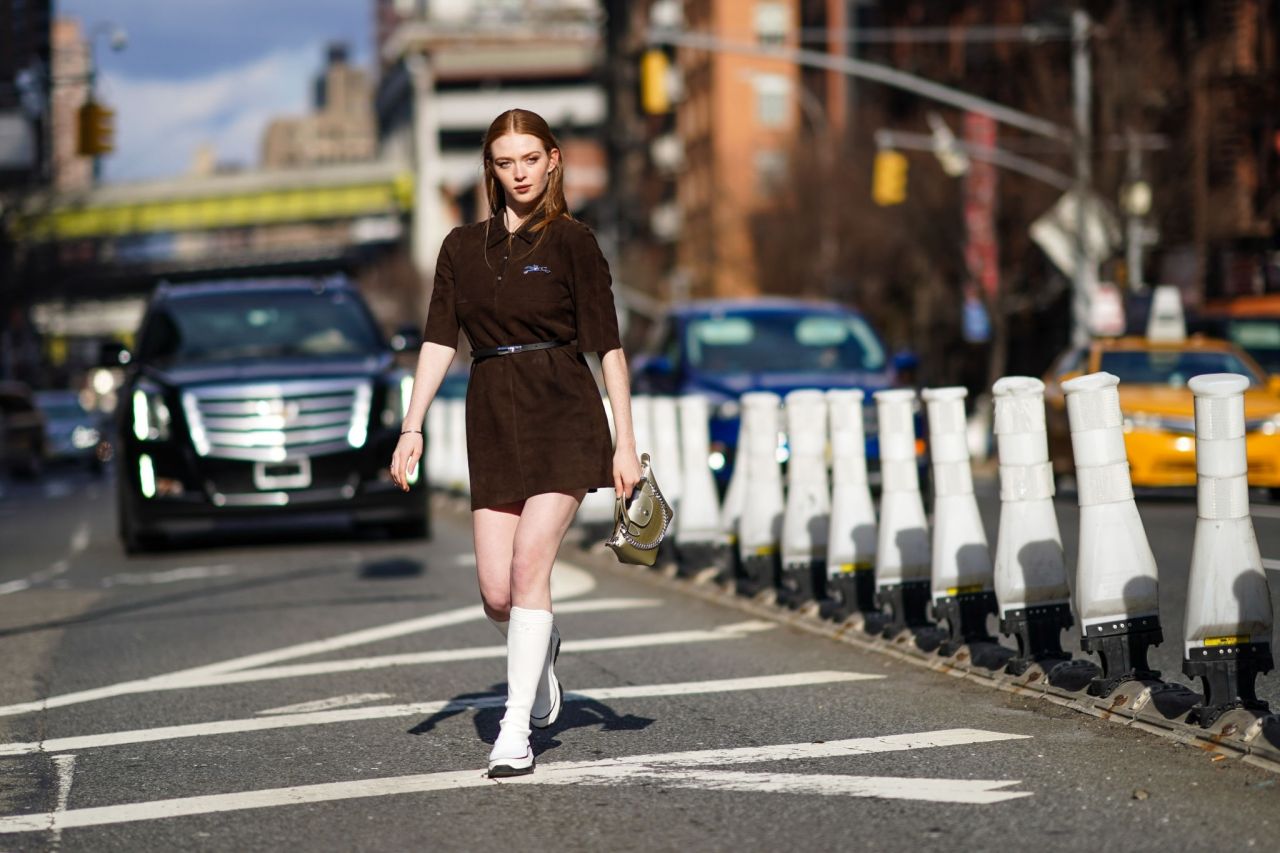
(473, 654)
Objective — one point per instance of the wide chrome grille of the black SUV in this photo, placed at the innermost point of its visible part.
(272, 422)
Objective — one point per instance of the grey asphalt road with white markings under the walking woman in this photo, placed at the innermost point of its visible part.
(333, 694)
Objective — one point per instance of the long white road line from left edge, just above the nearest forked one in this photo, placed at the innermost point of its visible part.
(419, 709)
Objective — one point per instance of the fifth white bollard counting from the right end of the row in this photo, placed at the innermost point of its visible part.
(903, 541)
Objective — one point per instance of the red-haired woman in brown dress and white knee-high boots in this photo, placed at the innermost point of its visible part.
(532, 290)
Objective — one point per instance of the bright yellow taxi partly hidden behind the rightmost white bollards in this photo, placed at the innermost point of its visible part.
(1159, 409)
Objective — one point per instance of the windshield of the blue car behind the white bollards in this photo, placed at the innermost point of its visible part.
(783, 344)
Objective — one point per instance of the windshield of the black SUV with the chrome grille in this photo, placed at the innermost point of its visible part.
(267, 325)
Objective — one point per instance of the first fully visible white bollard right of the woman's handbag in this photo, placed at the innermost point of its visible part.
(701, 542)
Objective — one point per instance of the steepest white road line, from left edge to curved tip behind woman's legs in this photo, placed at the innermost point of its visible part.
(572, 587)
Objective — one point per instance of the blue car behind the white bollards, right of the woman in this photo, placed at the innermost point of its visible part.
(724, 349)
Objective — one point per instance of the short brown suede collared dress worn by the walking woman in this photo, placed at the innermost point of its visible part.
(536, 421)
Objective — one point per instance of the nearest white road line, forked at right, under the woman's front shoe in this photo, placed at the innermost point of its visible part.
(591, 773)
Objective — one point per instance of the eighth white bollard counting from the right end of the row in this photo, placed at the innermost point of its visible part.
(761, 524)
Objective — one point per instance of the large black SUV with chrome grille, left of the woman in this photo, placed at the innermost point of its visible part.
(257, 404)
